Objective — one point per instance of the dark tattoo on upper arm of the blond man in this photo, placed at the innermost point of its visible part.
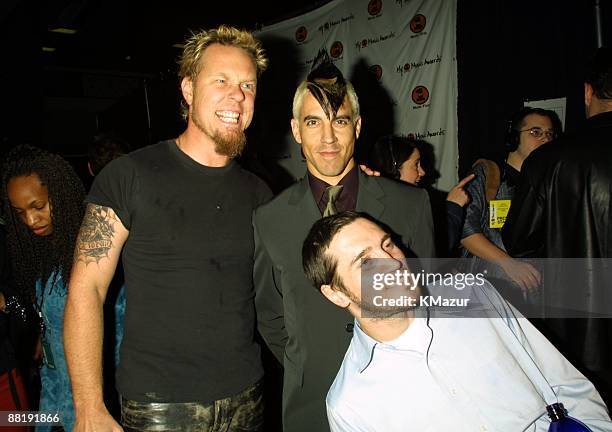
(95, 238)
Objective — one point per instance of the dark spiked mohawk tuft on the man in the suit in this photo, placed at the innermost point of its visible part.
(327, 84)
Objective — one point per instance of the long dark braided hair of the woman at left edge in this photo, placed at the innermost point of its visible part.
(37, 258)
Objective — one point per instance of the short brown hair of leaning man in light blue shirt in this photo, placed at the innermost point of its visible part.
(319, 267)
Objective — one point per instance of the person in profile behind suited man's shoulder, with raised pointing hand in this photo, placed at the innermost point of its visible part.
(399, 158)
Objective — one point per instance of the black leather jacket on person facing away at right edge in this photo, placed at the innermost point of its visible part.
(562, 209)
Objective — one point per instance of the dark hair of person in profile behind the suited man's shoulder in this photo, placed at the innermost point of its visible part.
(389, 153)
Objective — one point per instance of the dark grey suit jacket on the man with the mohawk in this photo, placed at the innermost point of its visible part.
(306, 332)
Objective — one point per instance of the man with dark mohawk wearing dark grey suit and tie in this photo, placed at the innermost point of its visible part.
(307, 334)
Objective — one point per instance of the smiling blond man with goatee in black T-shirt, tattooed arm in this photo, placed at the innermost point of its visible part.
(181, 212)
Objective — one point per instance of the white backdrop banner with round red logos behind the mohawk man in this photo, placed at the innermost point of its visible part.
(408, 45)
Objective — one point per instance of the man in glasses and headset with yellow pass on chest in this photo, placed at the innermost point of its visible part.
(492, 191)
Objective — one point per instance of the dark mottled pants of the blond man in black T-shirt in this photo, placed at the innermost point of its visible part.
(239, 413)
